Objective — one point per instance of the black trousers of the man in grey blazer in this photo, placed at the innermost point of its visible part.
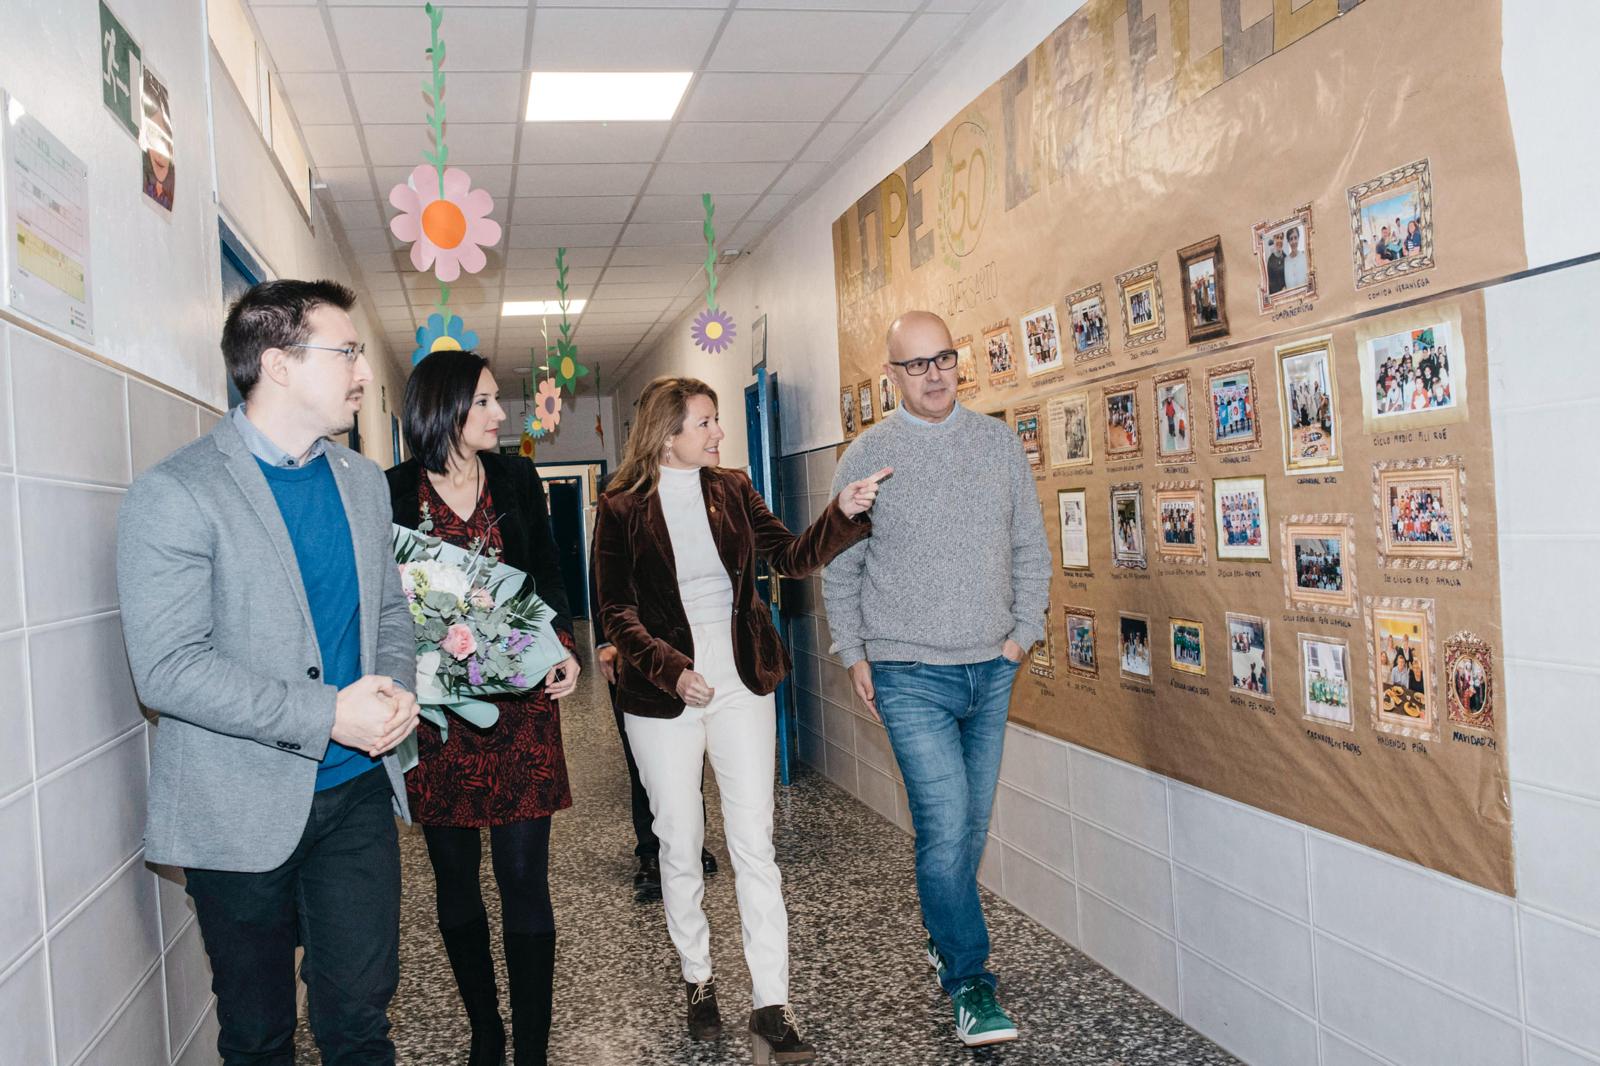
(338, 896)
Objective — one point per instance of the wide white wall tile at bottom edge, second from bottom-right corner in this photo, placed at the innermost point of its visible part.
(1404, 1019)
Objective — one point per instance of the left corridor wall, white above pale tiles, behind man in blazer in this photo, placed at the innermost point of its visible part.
(100, 955)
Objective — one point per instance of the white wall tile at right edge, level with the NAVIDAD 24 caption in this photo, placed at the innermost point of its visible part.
(1556, 731)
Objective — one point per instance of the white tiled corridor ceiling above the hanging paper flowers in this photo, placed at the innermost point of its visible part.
(782, 90)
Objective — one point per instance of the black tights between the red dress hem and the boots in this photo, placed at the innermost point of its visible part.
(521, 854)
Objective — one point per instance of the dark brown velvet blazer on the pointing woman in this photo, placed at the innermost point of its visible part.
(641, 609)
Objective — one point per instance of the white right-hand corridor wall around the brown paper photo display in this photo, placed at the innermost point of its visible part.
(1282, 942)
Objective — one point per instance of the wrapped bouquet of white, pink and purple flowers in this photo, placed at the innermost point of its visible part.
(478, 633)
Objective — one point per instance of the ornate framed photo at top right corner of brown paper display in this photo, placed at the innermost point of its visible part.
(1393, 225)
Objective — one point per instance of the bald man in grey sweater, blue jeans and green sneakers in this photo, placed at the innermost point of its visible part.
(934, 615)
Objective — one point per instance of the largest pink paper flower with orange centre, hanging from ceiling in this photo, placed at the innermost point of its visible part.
(449, 231)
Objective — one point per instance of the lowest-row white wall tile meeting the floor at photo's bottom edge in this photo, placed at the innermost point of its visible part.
(1249, 1024)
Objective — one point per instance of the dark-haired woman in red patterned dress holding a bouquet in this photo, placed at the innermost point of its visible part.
(513, 775)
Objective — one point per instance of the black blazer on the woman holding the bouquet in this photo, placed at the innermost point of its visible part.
(524, 523)
